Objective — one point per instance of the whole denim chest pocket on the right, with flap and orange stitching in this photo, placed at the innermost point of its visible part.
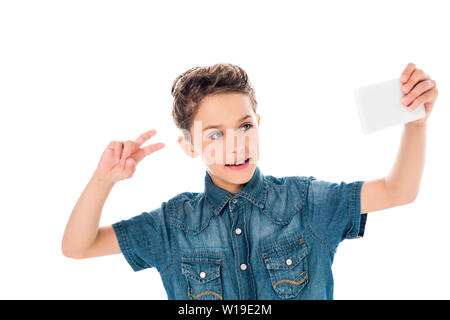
(287, 265)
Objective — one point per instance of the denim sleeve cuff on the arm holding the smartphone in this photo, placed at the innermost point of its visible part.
(358, 220)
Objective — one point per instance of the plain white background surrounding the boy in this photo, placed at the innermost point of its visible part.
(76, 75)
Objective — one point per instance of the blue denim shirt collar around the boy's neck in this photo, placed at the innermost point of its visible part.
(254, 191)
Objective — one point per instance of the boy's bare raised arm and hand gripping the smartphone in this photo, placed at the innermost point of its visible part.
(402, 184)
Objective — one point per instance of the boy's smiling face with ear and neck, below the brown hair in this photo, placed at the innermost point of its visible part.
(225, 131)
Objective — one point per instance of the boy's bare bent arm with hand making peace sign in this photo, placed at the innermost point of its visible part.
(82, 237)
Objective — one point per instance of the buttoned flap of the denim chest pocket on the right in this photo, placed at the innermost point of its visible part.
(284, 255)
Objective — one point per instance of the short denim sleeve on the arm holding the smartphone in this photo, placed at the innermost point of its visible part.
(334, 211)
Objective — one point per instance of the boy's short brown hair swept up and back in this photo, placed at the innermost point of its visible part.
(189, 88)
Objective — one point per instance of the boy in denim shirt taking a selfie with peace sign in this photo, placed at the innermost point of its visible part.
(248, 235)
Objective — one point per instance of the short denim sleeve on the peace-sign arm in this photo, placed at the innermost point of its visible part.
(145, 239)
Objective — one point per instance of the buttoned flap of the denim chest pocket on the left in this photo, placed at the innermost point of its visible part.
(201, 268)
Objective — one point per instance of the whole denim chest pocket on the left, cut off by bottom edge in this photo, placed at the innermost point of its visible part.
(203, 276)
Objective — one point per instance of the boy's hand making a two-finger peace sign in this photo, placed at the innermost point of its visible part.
(119, 160)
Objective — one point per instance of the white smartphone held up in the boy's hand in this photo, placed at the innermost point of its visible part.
(380, 107)
